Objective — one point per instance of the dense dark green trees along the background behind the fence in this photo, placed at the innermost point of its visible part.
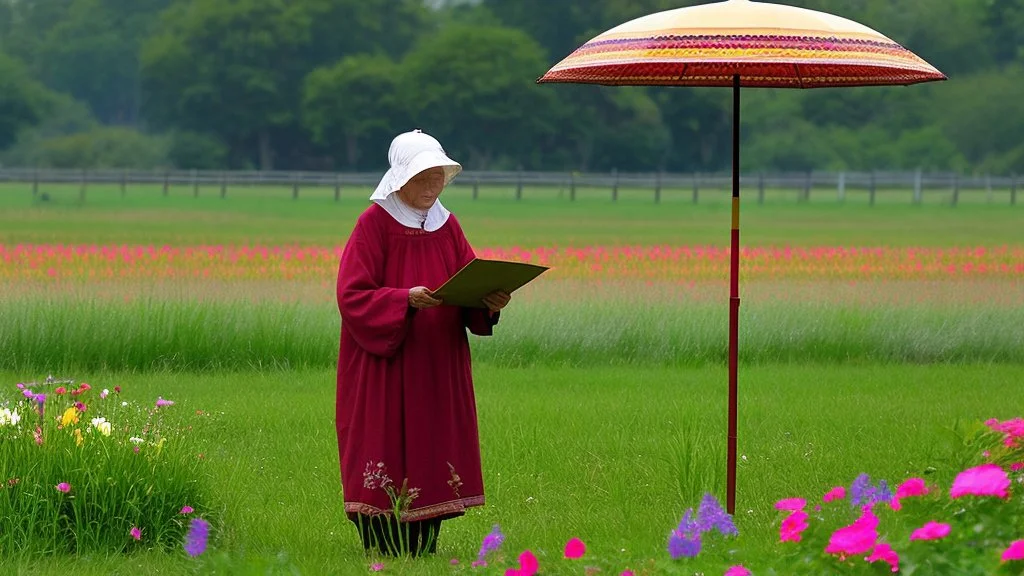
(325, 85)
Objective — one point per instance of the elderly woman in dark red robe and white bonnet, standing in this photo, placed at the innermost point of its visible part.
(406, 413)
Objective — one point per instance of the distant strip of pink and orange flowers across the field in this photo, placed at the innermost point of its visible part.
(25, 262)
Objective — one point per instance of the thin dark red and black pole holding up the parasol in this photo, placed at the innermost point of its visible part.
(734, 304)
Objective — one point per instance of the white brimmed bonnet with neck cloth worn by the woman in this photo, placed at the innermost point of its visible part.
(412, 153)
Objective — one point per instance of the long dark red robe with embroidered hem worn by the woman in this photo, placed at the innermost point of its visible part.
(405, 396)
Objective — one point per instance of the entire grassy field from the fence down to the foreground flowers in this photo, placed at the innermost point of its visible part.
(603, 395)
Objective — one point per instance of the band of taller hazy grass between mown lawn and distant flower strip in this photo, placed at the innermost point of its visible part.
(151, 334)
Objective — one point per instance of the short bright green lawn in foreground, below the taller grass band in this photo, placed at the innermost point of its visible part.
(611, 456)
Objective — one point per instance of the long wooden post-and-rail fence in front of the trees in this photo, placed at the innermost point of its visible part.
(695, 185)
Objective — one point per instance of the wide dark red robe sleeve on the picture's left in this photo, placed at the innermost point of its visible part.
(376, 317)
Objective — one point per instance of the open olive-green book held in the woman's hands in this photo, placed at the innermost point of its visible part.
(482, 277)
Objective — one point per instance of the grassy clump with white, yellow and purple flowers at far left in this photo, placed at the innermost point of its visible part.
(84, 470)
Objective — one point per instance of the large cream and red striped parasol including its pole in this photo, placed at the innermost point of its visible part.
(742, 44)
